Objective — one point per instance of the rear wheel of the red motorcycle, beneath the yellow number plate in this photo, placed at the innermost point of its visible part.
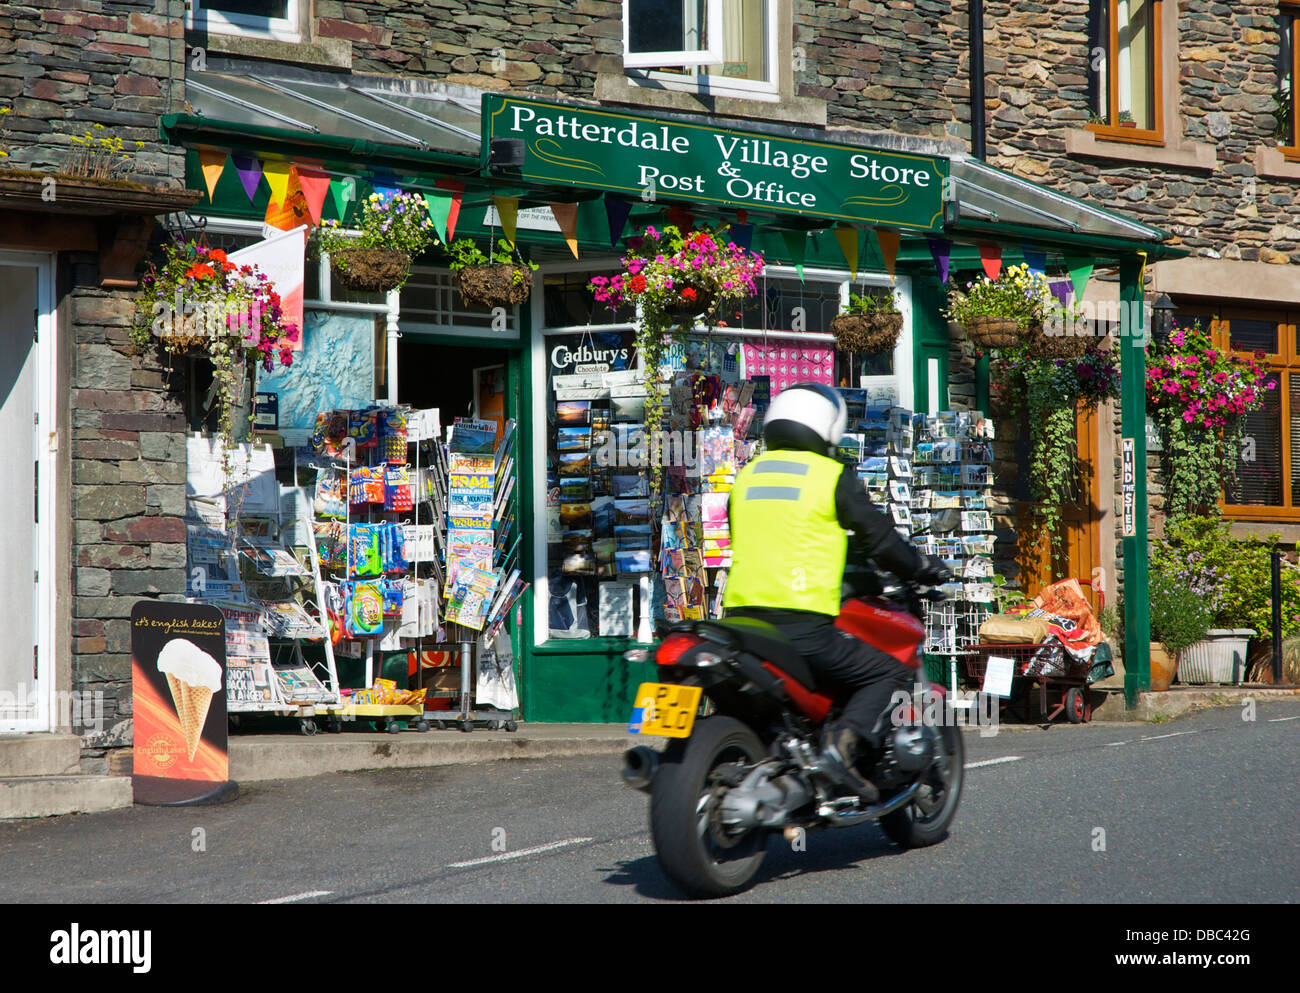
(694, 851)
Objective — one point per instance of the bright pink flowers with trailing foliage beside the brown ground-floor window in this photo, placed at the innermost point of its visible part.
(1199, 397)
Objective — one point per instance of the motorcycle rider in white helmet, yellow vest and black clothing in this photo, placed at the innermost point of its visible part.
(792, 510)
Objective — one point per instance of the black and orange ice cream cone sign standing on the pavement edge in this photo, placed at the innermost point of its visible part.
(179, 662)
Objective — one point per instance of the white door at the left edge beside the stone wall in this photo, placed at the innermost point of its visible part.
(27, 492)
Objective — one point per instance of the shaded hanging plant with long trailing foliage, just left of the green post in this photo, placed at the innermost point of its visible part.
(1050, 394)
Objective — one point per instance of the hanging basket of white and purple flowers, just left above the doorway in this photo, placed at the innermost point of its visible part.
(393, 229)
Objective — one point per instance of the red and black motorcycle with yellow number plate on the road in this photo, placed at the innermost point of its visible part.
(729, 782)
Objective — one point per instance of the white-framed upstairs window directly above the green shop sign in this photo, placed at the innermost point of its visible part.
(726, 47)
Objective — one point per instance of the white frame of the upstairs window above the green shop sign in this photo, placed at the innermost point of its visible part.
(643, 67)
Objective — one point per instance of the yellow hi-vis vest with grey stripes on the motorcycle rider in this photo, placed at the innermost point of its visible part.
(788, 547)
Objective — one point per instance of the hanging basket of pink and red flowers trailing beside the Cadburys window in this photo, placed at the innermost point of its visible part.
(674, 279)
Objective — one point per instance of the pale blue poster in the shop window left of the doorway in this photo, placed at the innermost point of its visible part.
(333, 371)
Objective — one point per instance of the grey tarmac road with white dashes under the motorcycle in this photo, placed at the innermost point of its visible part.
(1203, 809)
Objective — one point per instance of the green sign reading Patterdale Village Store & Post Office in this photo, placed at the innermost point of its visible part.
(699, 163)
